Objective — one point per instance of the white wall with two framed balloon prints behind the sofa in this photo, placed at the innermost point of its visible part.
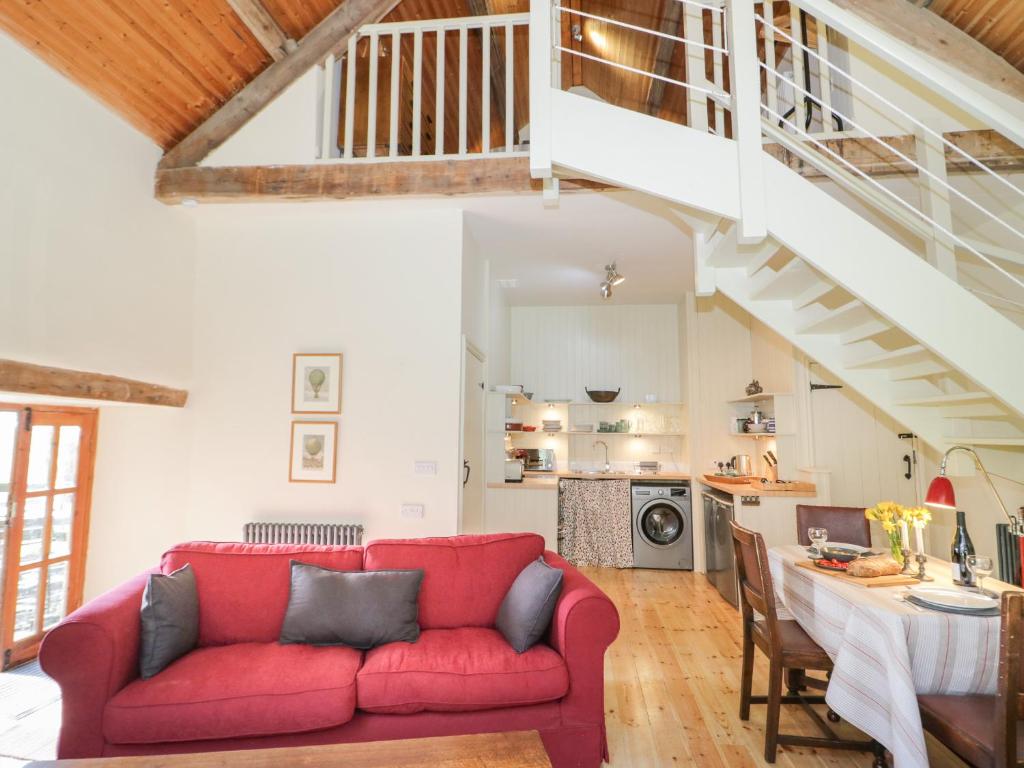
(379, 284)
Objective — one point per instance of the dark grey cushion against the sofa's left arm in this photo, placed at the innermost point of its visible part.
(170, 620)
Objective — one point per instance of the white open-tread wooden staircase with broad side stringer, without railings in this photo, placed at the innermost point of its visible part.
(919, 345)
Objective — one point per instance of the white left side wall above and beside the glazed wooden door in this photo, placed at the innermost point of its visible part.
(97, 276)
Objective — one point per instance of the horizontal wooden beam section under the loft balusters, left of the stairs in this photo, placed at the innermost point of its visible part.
(346, 181)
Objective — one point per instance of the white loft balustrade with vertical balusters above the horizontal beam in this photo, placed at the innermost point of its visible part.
(409, 68)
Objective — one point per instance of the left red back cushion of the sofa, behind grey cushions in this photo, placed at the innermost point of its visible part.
(243, 588)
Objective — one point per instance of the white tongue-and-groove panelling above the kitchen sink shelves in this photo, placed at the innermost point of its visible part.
(559, 352)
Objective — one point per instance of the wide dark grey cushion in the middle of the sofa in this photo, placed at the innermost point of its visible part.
(358, 609)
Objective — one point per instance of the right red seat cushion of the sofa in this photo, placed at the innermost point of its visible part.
(458, 670)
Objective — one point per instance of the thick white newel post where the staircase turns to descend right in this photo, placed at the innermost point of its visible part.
(745, 77)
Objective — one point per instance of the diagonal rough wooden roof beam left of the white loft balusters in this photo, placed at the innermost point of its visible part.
(336, 28)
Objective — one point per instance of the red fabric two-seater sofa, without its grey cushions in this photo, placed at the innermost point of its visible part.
(240, 690)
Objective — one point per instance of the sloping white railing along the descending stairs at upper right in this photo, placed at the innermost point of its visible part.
(783, 129)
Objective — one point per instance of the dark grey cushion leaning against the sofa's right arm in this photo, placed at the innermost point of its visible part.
(527, 610)
